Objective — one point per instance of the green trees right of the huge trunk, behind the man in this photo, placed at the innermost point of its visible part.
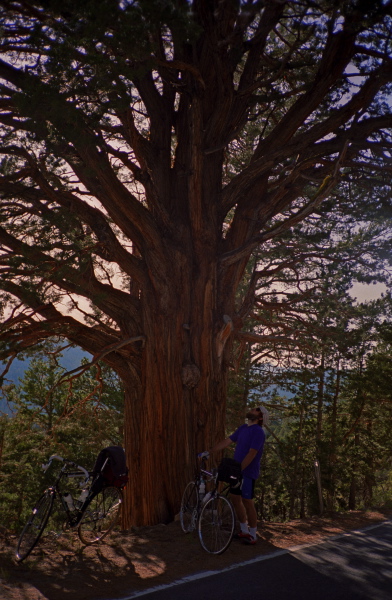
(332, 405)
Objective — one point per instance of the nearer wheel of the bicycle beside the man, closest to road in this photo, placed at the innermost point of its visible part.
(216, 524)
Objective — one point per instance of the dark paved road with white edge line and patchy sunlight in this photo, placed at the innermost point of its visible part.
(356, 566)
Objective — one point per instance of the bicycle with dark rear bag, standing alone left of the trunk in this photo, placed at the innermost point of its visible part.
(94, 514)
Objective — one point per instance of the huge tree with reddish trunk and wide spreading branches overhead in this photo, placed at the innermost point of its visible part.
(148, 149)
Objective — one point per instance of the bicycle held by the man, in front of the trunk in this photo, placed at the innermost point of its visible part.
(212, 513)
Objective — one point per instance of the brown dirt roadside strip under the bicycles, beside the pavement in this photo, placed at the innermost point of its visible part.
(62, 568)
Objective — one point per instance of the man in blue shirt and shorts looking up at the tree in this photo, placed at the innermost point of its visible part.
(249, 440)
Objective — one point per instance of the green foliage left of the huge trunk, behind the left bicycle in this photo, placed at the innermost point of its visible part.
(51, 417)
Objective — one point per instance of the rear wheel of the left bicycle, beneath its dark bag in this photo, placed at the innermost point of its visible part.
(101, 515)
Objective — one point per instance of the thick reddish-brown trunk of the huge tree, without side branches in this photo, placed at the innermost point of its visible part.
(187, 326)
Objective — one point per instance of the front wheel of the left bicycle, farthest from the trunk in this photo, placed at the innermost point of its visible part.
(34, 527)
